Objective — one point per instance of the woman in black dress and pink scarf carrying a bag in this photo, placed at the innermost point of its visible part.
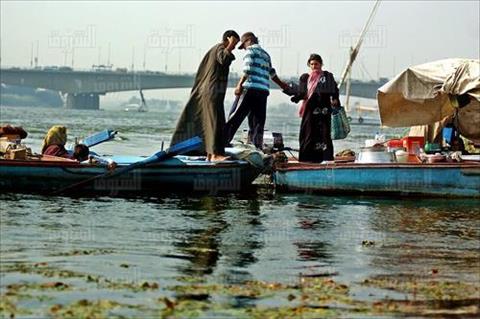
(319, 93)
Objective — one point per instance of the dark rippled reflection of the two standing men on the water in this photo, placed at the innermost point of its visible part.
(224, 233)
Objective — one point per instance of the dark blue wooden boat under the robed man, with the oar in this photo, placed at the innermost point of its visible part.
(180, 173)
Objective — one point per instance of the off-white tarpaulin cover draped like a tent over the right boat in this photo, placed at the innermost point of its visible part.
(427, 93)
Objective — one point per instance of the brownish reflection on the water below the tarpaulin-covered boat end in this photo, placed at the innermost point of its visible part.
(430, 236)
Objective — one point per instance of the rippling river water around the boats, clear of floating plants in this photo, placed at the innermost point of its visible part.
(227, 239)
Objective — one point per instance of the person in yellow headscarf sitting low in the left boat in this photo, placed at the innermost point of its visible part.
(54, 145)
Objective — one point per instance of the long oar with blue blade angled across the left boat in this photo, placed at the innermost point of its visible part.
(180, 148)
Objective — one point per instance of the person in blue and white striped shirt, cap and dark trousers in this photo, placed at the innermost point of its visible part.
(252, 91)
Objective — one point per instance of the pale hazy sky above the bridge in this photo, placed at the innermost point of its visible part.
(173, 36)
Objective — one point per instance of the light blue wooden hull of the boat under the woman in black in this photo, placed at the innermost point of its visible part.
(438, 179)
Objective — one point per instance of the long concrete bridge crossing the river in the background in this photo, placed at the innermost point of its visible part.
(83, 88)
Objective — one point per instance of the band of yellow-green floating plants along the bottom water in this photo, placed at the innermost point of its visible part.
(308, 297)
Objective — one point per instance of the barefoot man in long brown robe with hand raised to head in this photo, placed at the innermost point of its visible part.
(204, 114)
